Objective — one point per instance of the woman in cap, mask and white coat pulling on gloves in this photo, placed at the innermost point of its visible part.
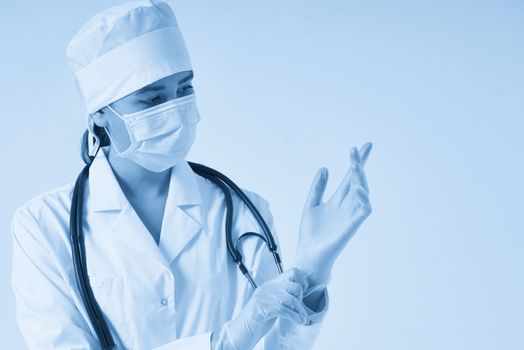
(157, 258)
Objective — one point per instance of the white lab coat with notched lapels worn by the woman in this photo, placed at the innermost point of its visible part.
(169, 296)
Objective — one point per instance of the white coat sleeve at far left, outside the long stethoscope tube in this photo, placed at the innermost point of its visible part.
(45, 312)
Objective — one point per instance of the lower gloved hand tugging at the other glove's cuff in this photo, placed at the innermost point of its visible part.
(279, 297)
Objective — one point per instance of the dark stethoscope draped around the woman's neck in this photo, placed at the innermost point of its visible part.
(79, 256)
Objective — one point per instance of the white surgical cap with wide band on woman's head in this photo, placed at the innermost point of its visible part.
(123, 49)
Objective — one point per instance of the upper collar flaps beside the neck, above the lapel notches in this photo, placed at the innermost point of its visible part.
(106, 193)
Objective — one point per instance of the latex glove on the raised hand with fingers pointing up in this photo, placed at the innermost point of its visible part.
(326, 228)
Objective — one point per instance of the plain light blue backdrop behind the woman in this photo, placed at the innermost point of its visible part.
(285, 87)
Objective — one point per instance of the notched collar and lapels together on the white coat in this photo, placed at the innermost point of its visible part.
(182, 219)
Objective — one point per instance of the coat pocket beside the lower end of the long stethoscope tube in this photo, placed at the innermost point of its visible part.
(109, 294)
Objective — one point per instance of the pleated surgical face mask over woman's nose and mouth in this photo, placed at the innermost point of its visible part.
(160, 136)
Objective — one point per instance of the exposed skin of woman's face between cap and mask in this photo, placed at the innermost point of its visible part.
(165, 89)
